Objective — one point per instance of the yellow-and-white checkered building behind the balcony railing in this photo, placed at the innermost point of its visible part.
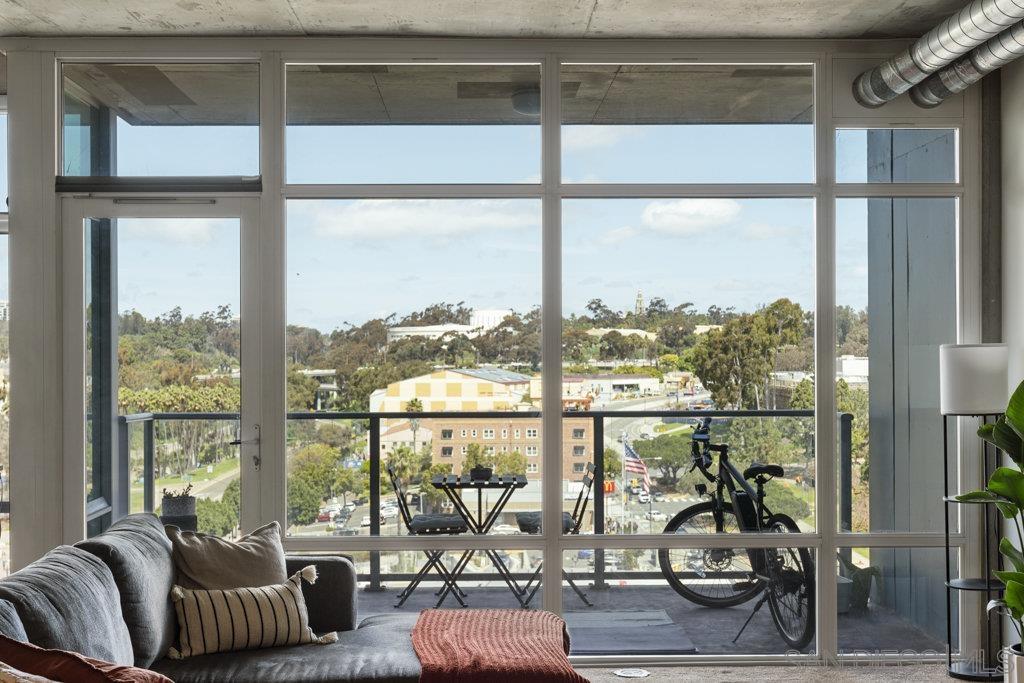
(455, 390)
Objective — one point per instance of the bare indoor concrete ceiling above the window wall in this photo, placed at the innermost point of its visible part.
(535, 19)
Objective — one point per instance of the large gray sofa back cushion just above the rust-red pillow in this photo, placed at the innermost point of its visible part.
(68, 601)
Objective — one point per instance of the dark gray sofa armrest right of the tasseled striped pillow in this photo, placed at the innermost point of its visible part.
(331, 601)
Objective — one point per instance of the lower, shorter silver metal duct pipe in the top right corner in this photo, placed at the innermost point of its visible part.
(994, 54)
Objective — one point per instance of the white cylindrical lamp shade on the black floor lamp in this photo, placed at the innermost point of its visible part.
(973, 379)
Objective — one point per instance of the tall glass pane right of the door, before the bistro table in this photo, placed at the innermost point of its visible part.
(395, 311)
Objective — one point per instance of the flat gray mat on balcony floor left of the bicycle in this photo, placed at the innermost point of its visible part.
(642, 632)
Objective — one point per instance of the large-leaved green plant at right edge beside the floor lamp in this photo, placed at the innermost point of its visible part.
(1006, 491)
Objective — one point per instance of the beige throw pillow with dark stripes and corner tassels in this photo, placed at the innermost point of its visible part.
(244, 619)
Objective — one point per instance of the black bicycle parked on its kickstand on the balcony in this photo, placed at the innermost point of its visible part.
(729, 577)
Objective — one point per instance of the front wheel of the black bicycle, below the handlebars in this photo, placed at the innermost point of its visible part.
(709, 577)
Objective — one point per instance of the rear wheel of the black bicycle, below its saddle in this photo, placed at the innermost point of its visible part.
(794, 584)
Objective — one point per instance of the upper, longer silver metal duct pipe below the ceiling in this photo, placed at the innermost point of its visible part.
(961, 33)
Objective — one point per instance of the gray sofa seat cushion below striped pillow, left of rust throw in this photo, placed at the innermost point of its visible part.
(379, 652)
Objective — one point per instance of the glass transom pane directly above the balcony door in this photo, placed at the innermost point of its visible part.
(161, 119)
